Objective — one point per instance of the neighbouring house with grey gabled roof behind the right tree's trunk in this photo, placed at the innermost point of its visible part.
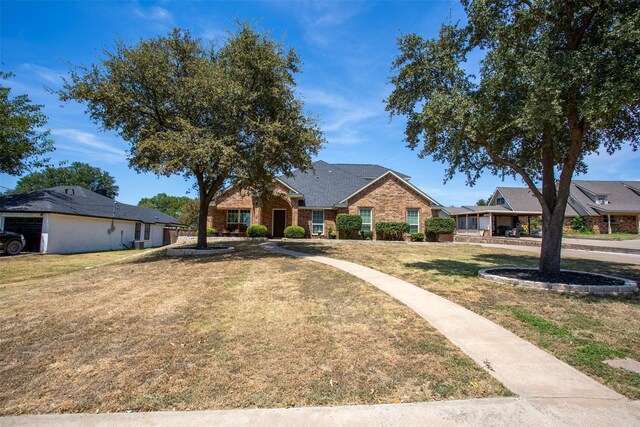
(607, 206)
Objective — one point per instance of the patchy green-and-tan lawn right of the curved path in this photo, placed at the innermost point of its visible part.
(582, 331)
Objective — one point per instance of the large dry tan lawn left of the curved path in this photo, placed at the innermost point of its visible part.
(249, 329)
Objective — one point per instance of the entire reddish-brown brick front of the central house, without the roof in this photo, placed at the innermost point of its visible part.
(388, 198)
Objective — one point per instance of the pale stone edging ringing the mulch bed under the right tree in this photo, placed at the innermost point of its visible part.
(629, 286)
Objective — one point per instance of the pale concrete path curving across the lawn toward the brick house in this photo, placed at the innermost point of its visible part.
(522, 367)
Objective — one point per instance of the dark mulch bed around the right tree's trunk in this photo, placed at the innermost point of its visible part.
(566, 277)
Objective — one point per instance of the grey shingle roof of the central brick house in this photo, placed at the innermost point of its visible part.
(328, 185)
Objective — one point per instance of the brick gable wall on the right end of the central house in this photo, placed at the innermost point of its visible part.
(389, 199)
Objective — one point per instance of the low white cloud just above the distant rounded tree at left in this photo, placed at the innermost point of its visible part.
(88, 144)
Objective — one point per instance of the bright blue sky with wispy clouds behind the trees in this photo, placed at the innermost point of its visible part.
(346, 48)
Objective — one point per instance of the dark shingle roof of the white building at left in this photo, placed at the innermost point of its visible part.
(75, 200)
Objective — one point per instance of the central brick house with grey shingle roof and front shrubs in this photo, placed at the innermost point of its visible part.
(312, 200)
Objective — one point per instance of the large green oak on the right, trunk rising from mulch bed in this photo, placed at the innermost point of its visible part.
(559, 80)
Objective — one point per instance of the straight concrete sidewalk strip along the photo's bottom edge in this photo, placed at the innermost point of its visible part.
(478, 412)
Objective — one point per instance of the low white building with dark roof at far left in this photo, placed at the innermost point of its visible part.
(72, 219)
